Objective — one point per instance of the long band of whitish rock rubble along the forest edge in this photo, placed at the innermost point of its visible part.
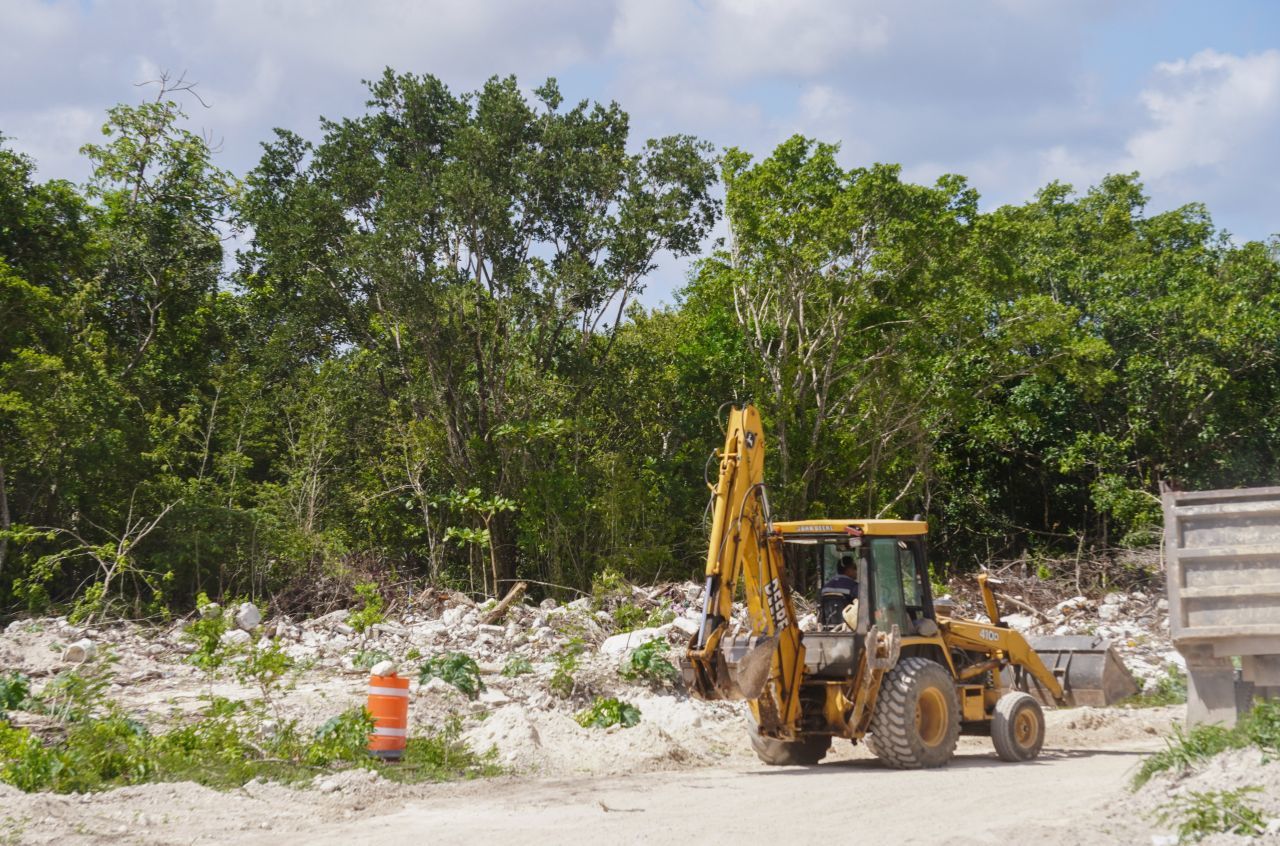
(532, 642)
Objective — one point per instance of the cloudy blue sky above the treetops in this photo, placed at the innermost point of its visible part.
(1009, 93)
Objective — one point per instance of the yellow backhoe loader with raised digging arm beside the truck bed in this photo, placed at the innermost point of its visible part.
(889, 669)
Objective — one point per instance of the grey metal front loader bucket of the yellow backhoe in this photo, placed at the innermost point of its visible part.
(1089, 669)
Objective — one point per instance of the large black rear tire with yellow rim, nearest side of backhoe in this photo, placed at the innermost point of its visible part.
(917, 720)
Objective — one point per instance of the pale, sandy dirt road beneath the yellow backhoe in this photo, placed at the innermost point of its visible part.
(1055, 801)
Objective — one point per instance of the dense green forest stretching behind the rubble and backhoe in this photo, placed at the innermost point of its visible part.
(423, 359)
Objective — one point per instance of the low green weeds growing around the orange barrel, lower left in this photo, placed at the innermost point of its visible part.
(92, 744)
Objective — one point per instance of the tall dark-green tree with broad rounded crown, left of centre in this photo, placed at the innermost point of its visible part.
(478, 246)
